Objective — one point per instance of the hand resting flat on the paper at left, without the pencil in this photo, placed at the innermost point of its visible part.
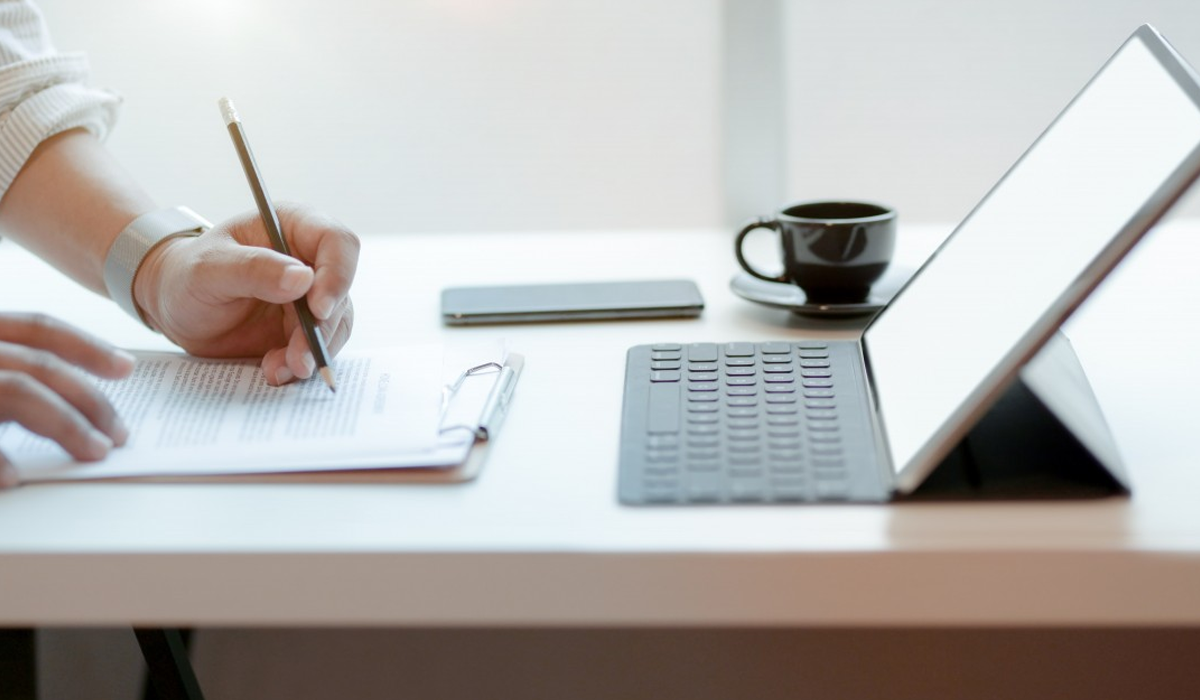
(44, 390)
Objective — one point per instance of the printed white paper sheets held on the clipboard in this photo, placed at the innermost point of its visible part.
(190, 417)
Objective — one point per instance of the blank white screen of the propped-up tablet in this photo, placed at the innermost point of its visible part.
(1025, 246)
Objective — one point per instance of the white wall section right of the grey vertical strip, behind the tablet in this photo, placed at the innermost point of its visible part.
(925, 104)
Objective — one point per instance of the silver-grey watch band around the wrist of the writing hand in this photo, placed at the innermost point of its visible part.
(133, 246)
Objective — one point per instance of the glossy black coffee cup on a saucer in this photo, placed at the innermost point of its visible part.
(831, 250)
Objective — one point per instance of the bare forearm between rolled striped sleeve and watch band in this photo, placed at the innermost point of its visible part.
(70, 202)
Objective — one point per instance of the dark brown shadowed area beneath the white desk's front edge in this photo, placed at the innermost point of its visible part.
(659, 665)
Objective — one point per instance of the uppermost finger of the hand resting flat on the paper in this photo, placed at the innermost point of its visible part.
(75, 346)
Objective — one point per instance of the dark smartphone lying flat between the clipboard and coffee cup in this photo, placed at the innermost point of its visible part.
(572, 302)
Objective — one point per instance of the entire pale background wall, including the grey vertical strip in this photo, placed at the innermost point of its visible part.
(511, 115)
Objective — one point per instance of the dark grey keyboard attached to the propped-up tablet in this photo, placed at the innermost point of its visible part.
(743, 423)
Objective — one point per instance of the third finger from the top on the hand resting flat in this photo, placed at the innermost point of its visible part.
(44, 412)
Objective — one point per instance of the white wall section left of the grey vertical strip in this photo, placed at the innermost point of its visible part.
(419, 115)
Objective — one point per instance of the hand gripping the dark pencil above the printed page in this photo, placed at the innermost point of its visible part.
(227, 294)
